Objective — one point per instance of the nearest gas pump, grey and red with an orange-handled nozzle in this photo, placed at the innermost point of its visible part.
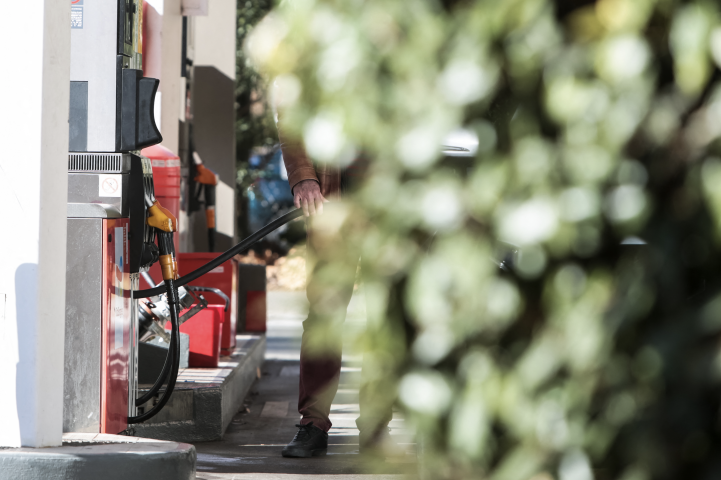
(112, 214)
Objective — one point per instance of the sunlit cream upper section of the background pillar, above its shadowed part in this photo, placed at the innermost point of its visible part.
(215, 36)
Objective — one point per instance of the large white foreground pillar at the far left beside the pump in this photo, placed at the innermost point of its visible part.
(34, 99)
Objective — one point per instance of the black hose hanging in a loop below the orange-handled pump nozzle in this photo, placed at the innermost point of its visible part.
(172, 360)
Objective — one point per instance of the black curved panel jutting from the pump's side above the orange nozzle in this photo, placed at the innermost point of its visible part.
(138, 127)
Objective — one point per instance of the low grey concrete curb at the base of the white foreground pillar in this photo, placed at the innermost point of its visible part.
(89, 456)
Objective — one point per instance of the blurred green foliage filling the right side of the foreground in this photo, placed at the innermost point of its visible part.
(590, 359)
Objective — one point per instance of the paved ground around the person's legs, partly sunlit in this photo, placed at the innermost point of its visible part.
(252, 444)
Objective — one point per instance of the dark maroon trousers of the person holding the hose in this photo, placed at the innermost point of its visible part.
(329, 289)
